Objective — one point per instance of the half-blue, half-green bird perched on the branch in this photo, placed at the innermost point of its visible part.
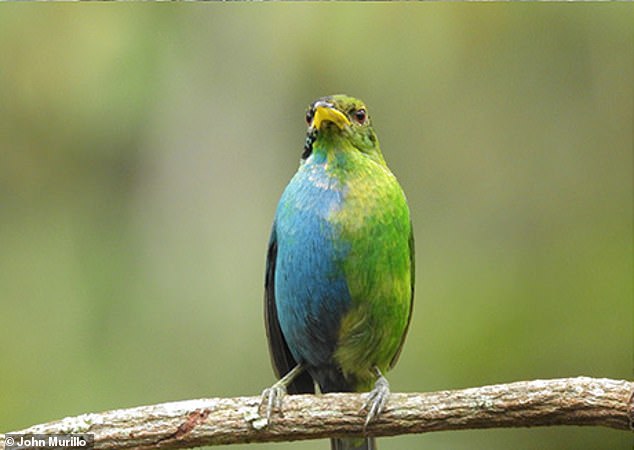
(339, 281)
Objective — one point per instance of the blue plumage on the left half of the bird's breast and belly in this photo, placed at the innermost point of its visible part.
(311, 291)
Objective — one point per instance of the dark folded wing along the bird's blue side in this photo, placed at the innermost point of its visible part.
(281, 357)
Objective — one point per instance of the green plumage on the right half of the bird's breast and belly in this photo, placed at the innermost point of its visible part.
(378, 268)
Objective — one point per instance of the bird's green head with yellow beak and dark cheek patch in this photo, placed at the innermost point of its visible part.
(340, 121)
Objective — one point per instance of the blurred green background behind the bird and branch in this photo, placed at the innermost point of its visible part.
(143, 149)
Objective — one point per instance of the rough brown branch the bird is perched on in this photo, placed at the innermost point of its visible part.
(193, 423)
